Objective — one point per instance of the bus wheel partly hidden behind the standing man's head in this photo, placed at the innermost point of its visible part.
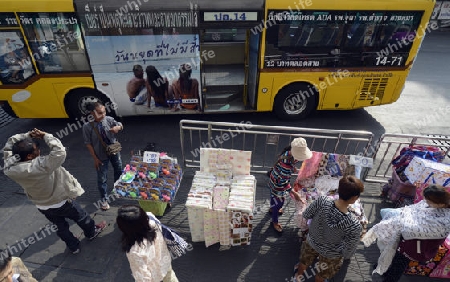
(76, 100)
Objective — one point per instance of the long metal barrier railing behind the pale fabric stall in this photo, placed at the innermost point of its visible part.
(265, 142)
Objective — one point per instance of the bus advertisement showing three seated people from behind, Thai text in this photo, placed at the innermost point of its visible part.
(148, 63)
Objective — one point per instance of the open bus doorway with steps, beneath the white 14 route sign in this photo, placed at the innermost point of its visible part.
(229, 71)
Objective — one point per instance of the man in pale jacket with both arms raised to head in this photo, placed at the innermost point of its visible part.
(48, 185)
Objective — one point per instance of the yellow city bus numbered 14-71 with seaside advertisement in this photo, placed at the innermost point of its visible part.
(153, 57)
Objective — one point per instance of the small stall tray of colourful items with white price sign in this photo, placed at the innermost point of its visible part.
(152, 179)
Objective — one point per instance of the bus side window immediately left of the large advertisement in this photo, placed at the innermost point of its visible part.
(55, 40)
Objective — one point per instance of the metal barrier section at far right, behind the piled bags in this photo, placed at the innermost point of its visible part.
(389, 147)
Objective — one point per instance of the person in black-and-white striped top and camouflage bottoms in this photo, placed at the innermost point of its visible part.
(334, 232)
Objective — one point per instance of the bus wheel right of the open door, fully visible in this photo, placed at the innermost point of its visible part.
(295, 101)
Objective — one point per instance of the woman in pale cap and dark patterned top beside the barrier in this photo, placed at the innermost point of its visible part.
(280, 177)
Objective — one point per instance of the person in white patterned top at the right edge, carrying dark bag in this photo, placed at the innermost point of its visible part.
(411, 233)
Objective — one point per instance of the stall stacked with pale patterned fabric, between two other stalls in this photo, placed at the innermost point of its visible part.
(222, 197)
